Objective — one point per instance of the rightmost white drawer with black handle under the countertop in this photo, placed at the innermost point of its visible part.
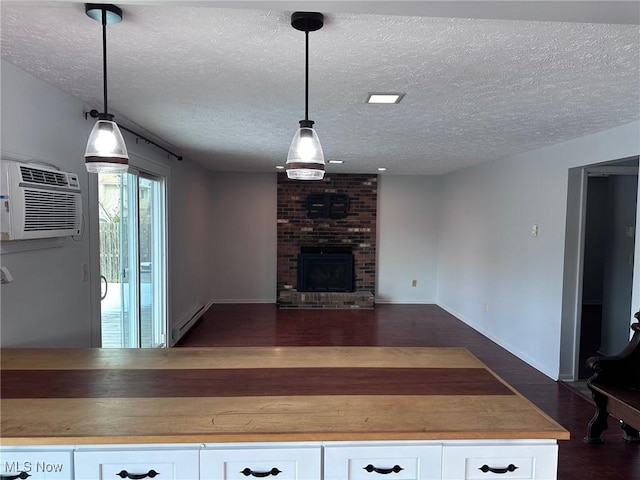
(522, 462)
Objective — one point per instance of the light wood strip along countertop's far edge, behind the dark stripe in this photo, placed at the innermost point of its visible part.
(235, 357)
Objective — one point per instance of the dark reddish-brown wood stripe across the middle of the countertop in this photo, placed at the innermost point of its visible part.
(242, 382)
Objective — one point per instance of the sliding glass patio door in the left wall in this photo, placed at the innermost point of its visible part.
(132, 260)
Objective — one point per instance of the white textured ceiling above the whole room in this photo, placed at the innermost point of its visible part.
(222, 83)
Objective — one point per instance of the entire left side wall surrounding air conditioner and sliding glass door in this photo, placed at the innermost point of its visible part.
(48, 304)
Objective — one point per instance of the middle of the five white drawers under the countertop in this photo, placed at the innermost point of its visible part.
(296, 463)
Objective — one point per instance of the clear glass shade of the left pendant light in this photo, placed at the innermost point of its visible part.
(106, 150)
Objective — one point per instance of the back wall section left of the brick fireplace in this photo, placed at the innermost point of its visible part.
(243, 241)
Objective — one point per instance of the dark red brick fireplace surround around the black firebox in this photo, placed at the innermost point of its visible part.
(336, 212)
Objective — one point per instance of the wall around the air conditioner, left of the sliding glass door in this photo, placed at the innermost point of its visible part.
(47, 304)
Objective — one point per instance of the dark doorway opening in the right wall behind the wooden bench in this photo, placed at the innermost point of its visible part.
(601, 226)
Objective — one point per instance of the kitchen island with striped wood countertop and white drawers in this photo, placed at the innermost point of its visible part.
(401, 412)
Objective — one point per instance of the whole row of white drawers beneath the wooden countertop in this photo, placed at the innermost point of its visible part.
(358, 460)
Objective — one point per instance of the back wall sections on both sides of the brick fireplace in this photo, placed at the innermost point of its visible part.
(243, 243)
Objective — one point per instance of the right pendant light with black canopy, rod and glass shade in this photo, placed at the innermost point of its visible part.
(305, 160)
